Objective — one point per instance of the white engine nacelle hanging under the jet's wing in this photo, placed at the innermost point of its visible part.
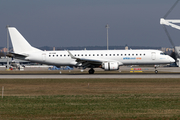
(108, 66)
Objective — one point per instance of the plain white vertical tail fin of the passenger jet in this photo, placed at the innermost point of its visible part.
(20, 45)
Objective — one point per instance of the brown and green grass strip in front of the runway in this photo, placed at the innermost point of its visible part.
(90, 99)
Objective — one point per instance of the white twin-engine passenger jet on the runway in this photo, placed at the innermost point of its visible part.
(105, 59)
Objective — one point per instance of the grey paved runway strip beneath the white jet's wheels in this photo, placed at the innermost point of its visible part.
(87, 76)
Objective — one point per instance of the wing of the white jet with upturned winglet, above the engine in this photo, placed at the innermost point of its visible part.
(86, 62)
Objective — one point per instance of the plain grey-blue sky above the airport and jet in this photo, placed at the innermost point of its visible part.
(82, 22)
